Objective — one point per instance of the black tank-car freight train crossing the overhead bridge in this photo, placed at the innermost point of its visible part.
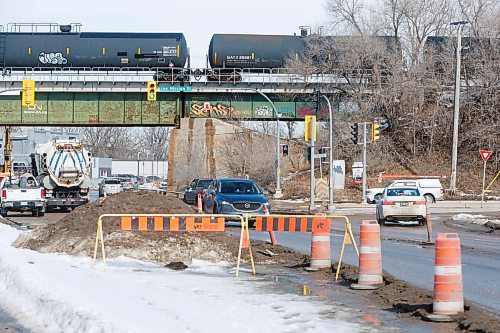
(64, 46)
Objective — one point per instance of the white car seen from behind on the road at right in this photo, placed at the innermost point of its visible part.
(401, 205)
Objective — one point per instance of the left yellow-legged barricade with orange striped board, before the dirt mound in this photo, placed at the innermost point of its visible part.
(175, 223)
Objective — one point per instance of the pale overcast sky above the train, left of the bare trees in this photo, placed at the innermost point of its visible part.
(197, 19)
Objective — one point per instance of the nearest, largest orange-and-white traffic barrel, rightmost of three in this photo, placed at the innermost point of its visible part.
(448, 292)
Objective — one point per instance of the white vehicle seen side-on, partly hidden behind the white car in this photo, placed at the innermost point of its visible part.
(430, 188)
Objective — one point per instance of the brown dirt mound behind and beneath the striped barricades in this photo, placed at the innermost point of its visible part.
(75, 234)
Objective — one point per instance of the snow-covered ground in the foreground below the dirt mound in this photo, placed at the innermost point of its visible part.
(61, 293)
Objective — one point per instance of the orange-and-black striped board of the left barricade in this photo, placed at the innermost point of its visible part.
(165, 223)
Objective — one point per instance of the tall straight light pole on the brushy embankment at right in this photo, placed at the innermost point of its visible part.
(456, 107)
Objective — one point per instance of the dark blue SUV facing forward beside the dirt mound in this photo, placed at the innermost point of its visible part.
(234, 196)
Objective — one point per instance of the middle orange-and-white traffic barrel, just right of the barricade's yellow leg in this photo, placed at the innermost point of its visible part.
(370, 254)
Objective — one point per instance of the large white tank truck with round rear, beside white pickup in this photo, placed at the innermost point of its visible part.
(62, 167)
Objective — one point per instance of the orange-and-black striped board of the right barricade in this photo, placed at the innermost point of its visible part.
(292, 224)
